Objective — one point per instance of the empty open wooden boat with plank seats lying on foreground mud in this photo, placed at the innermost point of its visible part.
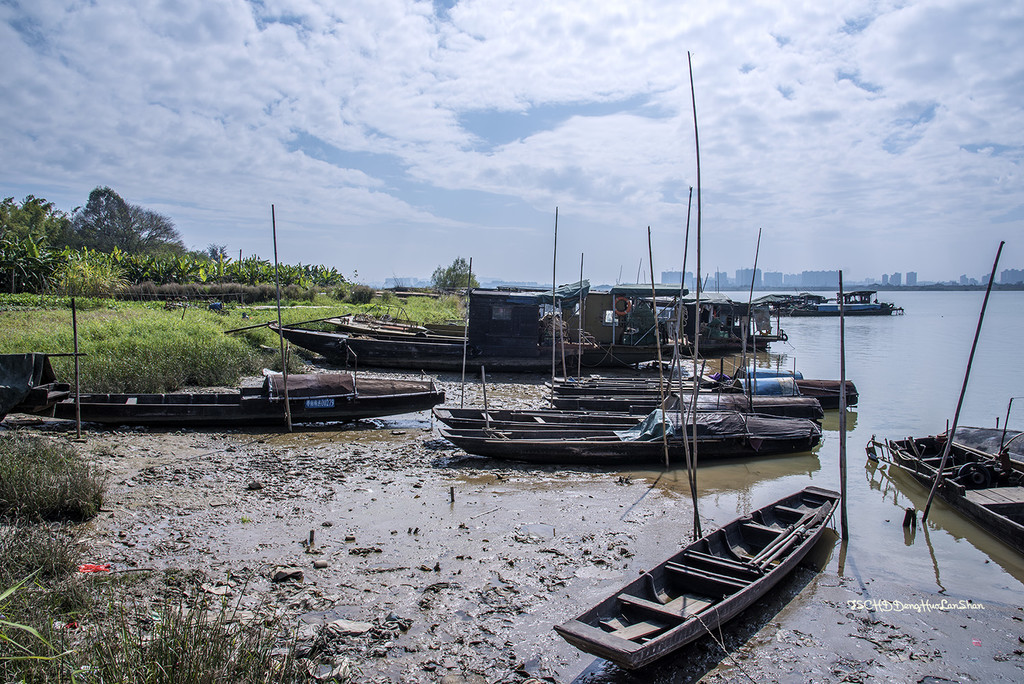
(701, 588)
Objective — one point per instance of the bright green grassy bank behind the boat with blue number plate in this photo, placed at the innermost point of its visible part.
(144, 348)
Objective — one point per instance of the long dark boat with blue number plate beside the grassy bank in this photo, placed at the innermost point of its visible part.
(313, 399)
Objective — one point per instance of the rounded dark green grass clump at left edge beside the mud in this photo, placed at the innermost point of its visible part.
(47, 480)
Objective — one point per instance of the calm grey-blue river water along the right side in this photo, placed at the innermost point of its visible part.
(909, 371)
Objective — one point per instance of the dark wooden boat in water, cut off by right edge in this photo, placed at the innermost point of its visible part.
(988, 490)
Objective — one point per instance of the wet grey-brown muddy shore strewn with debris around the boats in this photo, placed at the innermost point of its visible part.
(440, 567)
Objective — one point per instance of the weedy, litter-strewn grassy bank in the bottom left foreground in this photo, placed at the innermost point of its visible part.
(60, 625)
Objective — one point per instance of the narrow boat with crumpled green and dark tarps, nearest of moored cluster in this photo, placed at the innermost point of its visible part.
(719, 436)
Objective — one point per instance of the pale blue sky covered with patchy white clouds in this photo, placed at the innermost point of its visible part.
(394, 136)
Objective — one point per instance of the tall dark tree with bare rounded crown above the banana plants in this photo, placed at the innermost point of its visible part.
(108, 223)
